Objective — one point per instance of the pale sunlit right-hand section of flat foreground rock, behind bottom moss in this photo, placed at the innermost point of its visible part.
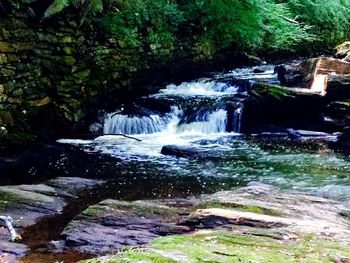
(294, 212)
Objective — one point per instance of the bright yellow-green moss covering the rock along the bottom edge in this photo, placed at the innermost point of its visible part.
(228, 247)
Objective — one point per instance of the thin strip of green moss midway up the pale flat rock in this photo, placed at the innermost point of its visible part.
(239, 207)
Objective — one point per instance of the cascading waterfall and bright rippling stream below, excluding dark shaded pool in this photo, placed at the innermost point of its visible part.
(205, 116)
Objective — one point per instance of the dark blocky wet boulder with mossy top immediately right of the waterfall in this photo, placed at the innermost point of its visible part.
(274, 106)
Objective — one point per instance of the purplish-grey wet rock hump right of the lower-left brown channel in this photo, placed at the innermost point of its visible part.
(111, 225)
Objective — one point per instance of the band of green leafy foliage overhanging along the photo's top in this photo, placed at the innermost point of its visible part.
(248, 26)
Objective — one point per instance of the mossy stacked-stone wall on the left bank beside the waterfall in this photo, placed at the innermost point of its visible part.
(54, 73)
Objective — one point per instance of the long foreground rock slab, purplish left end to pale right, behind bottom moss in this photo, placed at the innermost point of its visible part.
(259, 209)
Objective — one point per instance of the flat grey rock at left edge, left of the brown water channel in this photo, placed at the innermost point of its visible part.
(26, 204)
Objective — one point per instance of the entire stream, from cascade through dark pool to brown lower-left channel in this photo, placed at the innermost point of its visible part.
(203, 119)
